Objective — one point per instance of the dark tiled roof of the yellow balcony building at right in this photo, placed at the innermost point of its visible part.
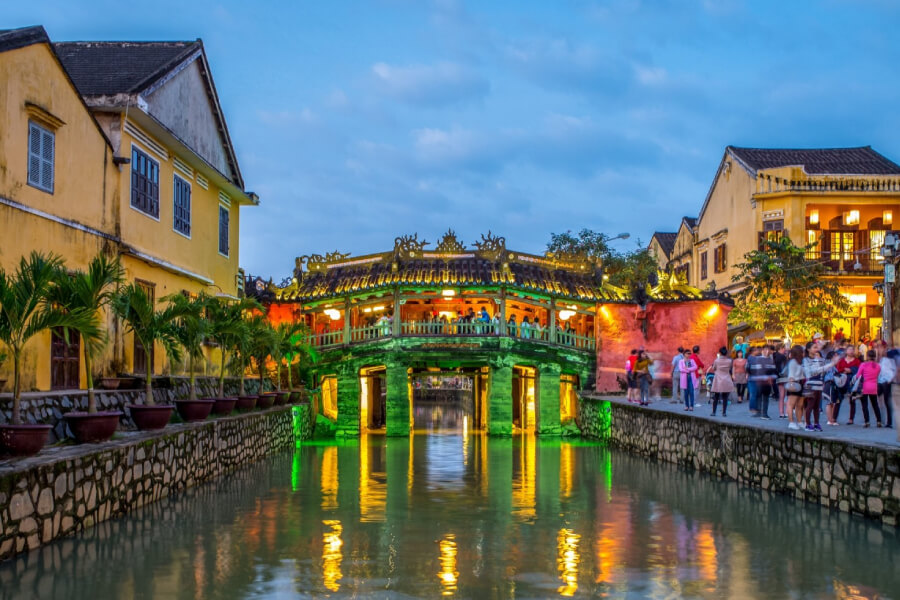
(819, 161)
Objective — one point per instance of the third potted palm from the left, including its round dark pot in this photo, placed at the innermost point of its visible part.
(149, 325)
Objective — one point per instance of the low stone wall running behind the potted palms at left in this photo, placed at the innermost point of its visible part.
(49, 407)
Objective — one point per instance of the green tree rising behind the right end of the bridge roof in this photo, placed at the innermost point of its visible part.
(631, 270)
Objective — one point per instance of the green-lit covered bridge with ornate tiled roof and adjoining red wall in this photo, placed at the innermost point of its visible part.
(493, 338)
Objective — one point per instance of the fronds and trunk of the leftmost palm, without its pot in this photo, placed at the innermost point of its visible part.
(26, 310)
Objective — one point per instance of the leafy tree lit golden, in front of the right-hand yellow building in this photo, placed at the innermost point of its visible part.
(787, 291)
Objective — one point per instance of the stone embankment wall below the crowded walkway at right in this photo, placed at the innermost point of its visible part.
(856, 478)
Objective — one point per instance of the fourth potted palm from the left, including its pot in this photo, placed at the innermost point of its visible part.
(191, 329)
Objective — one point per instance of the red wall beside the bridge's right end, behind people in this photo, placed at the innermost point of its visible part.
(668, 325)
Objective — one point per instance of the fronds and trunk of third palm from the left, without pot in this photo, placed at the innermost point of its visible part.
(149, 325)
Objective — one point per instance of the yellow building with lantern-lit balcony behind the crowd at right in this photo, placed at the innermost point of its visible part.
(841, 199)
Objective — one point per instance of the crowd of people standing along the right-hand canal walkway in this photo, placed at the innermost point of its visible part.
(808, 383)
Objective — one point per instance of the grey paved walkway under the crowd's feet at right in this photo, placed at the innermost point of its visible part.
(740, 414)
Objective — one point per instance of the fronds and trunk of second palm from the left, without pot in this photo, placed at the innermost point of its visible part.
(89, 292)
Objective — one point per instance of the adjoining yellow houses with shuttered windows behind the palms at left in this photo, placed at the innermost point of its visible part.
(123, 147)
